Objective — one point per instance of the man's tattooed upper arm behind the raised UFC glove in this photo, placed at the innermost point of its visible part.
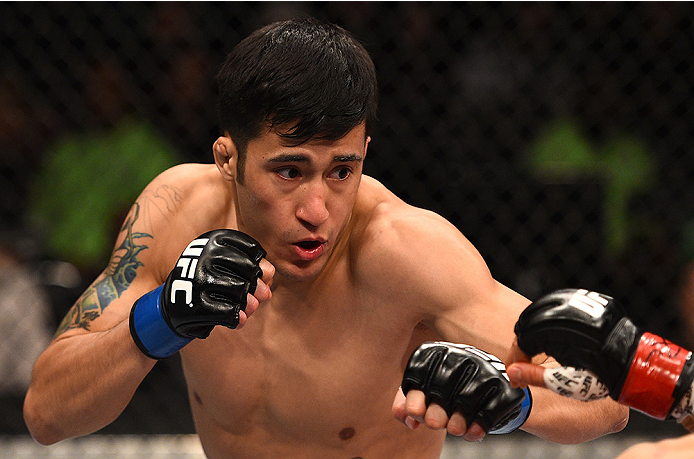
(134, 268)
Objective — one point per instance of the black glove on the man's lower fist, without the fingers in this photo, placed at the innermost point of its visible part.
(467, 380)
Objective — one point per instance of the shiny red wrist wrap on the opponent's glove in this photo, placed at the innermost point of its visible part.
(653, 375)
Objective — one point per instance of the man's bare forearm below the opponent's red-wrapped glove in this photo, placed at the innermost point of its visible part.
(562, 420)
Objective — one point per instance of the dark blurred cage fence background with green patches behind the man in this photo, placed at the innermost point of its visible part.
(556, 136)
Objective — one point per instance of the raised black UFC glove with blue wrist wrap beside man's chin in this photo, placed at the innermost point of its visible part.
(209, 286)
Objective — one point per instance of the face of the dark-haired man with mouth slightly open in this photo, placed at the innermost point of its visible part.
(296, 200)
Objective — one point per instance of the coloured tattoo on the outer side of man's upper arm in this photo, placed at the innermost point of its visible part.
(113, 282)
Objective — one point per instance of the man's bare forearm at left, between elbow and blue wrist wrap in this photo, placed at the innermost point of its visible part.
(82, 383)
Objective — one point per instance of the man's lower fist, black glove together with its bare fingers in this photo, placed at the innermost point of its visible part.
(461, 389)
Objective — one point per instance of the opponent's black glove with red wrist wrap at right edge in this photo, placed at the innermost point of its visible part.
(588, 330)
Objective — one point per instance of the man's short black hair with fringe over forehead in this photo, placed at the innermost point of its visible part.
(311, 77)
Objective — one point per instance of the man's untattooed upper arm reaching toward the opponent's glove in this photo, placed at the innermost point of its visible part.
(444, 280)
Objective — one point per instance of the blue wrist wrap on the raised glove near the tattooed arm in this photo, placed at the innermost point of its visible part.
(149, 329)
